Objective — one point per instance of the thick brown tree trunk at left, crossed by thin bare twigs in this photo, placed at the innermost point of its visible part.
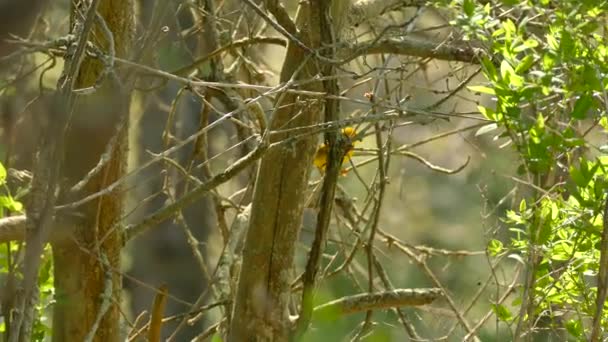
(87, 263)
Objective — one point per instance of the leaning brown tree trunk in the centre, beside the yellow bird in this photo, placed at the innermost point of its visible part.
(260, 312)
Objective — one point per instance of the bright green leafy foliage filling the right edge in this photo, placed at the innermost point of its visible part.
(545, 63)
